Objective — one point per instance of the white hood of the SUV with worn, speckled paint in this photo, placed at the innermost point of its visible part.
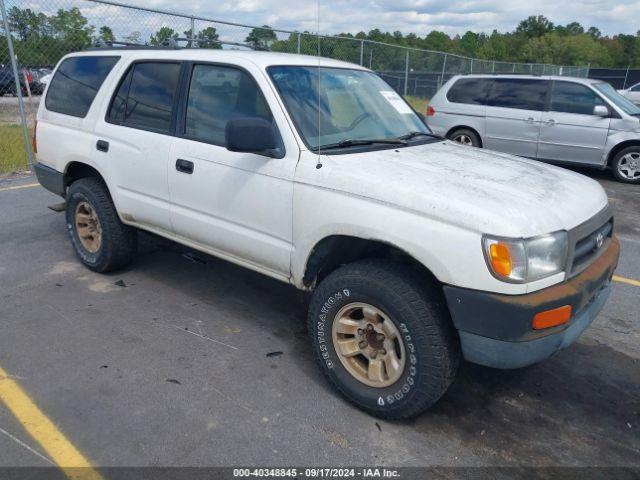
(477, 189)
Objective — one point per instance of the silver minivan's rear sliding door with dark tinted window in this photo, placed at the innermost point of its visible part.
(513, 115)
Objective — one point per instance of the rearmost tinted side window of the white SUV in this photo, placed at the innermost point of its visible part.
(76, 83)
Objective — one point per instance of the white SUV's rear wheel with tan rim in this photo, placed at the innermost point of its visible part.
(90, 213)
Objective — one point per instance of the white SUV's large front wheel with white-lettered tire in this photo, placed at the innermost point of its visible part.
(418, 313)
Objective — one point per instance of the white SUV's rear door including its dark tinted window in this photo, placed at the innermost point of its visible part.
(134, 140)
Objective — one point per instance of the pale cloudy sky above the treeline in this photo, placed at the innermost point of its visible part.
(411, 16)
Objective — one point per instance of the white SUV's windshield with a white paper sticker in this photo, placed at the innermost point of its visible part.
(353, 106)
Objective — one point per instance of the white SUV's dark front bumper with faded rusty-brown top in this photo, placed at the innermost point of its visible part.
(496, 330)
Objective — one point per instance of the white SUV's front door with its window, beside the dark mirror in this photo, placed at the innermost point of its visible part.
(237, 205)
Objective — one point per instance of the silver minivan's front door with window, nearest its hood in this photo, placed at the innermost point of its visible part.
(570, 132)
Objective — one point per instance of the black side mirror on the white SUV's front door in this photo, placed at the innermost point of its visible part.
(251, 135)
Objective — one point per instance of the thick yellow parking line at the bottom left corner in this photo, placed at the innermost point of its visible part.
(43, 430)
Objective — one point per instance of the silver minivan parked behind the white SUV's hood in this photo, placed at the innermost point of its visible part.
(565, 120)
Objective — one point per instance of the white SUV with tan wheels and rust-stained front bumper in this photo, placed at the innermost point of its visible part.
(416, 250)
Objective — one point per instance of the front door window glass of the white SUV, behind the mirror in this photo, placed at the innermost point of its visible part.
(216, 95)
